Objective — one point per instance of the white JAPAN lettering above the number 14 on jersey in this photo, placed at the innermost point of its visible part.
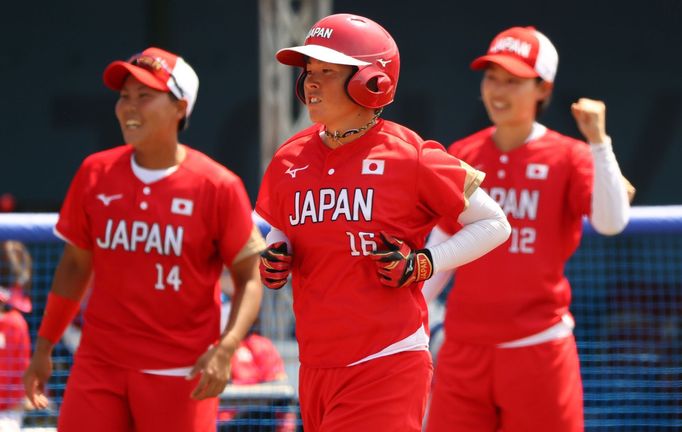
(142, 236)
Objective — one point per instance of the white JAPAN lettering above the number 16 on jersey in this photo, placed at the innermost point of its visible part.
(330, 205)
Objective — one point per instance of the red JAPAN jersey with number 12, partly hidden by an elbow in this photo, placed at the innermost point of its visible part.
(519, 288)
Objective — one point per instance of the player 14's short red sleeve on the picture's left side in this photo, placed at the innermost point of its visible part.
(73, 224)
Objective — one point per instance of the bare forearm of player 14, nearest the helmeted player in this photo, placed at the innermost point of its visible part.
(245, 303)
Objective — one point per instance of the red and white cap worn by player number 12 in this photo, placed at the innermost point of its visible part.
(522, 51)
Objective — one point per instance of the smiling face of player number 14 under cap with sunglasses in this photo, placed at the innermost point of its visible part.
(147, 117)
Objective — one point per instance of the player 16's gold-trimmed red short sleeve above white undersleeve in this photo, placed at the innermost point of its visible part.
(445, 182)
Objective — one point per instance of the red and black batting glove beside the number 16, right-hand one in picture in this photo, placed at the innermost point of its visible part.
(399, 266)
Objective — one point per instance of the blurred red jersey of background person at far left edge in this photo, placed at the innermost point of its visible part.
(15, 349)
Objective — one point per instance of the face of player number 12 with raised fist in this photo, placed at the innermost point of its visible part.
(511, 100)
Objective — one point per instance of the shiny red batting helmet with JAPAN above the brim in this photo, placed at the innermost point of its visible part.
(356, 41)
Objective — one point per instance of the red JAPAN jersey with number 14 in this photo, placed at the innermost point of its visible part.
(158, 251)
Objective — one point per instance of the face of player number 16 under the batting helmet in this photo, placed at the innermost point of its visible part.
(326, 98)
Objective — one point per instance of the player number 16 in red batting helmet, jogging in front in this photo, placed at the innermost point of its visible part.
(350, 201)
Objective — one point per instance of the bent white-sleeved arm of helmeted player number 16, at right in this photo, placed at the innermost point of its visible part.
(485, 227)
